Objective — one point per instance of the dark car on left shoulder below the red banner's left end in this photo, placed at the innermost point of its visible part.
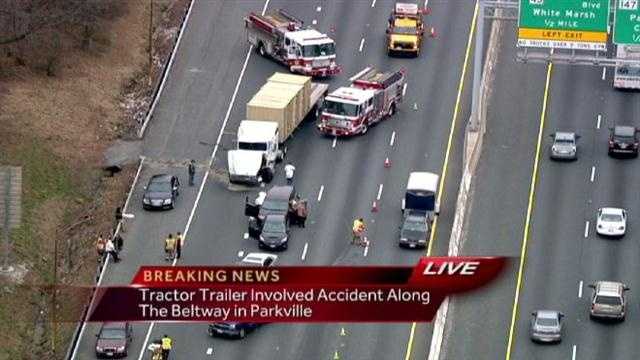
(113, 340)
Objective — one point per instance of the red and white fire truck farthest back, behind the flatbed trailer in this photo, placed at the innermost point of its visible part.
(284, 38)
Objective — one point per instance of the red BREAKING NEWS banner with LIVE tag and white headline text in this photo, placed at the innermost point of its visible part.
(294, 293)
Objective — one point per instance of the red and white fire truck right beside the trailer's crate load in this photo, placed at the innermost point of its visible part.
(372, 96)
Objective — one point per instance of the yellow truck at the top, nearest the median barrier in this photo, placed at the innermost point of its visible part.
(405, 30)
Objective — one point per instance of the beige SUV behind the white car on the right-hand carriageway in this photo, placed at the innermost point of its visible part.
(608, 300)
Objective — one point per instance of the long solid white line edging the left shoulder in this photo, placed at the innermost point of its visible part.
(206, 174)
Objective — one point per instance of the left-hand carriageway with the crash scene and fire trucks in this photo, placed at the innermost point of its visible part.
(212, 79)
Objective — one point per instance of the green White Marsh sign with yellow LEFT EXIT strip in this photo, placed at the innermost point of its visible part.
(566, 24)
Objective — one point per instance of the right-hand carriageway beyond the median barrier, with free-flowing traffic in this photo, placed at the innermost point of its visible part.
(562, 252)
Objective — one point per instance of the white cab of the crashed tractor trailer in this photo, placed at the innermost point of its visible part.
(257, 149)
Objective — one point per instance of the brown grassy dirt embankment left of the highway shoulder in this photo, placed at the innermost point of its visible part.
(68, 89)
